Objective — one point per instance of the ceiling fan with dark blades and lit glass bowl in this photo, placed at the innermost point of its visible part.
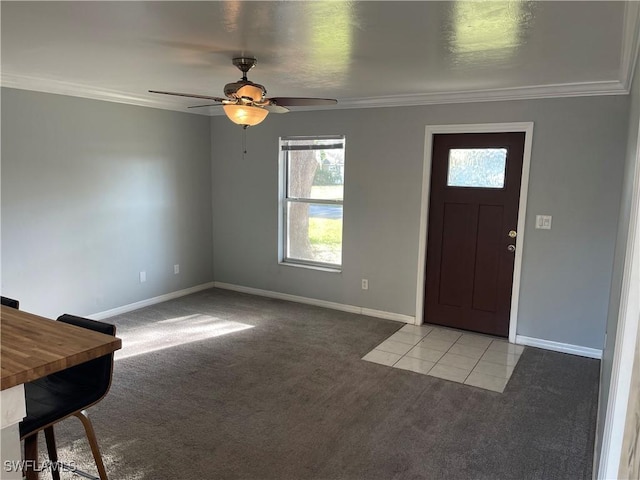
(245, 102)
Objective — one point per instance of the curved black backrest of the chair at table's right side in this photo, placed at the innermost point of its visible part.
(95, 374)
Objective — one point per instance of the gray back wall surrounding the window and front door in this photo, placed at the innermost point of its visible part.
(576, 173)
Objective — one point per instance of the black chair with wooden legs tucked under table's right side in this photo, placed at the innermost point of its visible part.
(63, 394)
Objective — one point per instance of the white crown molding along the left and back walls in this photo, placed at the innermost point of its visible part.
(471, 96)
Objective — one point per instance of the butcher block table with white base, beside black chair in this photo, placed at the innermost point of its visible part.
(32, 347)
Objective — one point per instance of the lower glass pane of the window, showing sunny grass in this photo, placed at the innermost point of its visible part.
(315, 232)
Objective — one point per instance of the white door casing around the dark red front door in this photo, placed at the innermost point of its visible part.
(430, 131)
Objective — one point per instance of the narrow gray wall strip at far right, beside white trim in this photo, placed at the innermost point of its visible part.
(630, 165)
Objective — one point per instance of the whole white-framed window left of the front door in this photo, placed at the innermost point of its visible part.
(311, 196)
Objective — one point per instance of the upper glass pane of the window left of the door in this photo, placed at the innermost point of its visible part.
(316, 174)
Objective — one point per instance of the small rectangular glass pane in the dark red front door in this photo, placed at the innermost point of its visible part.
(477, 167)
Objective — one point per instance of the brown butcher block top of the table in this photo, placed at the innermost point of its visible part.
(33, 347)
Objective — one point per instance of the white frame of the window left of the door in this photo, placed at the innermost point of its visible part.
(284, 200)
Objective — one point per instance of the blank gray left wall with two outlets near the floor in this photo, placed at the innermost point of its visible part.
(94, 192)
